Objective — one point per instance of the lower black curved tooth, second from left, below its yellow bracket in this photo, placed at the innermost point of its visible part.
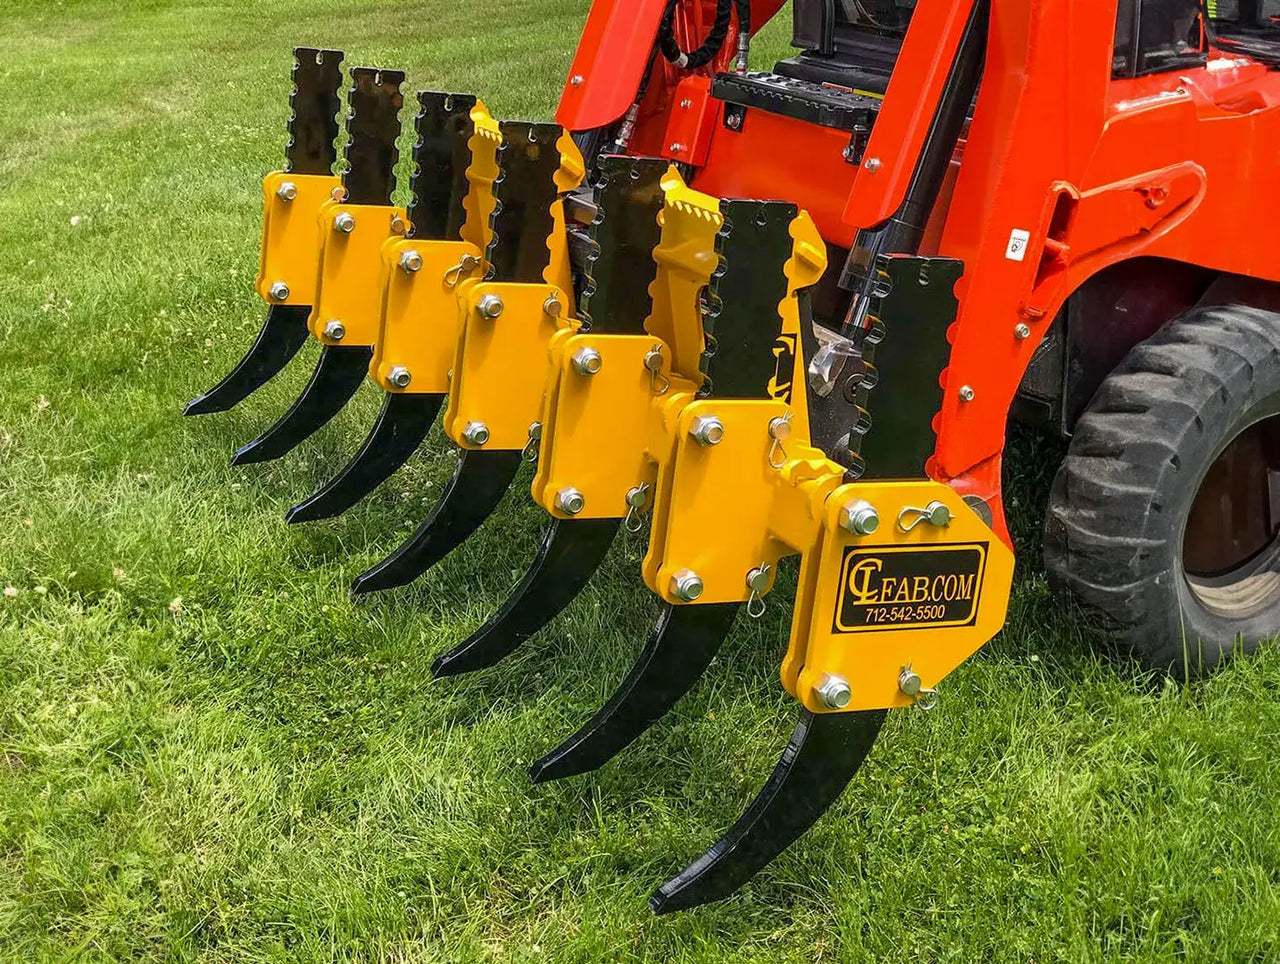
(337, 377)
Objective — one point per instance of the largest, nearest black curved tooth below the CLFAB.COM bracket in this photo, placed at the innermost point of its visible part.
(824, 756)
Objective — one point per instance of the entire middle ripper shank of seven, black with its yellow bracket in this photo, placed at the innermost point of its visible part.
(508, 321)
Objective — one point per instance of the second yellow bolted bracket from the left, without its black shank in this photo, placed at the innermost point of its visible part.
(353, 273)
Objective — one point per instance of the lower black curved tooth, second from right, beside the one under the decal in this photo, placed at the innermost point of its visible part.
(678, 654)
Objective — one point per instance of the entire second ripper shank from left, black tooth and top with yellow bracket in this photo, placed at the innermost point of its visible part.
(353, 229)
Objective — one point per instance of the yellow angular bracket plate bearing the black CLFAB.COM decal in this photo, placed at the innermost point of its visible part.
(913, 595)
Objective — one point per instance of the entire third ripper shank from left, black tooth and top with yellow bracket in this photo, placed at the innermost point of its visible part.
(420, 273)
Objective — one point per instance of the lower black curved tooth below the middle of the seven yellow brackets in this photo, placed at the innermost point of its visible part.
(473, 495)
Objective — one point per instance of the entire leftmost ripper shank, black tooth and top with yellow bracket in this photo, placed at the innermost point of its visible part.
(292, 200)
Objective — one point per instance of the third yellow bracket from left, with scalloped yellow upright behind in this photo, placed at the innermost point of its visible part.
(419, 332)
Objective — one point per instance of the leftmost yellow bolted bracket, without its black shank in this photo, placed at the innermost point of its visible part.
(291, 236)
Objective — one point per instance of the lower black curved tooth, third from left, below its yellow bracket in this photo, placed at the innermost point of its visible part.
(403, 426)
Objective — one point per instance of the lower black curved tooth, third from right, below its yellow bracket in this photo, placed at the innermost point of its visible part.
(570, 555)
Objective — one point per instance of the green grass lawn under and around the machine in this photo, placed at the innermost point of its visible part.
(208, 752)
